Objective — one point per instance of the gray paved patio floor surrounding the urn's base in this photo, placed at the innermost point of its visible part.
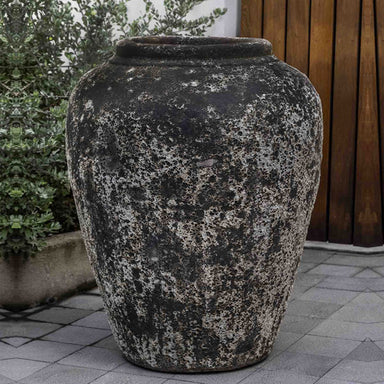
(333, 333)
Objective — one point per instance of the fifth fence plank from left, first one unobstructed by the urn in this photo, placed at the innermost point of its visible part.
(344, 122)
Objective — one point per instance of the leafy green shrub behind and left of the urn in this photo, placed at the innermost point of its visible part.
(45, 49)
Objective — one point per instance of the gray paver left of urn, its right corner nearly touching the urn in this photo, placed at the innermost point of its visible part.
(78, 335)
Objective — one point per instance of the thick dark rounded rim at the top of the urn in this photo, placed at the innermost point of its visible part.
(192, 47)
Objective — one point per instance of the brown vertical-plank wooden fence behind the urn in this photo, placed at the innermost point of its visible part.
(339, 44)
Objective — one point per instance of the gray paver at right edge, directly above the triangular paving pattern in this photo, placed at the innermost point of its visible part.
(349, 330)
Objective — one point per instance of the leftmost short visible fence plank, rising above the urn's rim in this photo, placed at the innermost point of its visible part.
(251, 18)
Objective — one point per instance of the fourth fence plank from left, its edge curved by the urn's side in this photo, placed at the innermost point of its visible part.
(320, 73)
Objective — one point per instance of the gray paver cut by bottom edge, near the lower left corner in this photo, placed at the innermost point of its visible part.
(63, 374)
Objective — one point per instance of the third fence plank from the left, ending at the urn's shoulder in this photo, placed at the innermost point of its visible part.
(298, 34)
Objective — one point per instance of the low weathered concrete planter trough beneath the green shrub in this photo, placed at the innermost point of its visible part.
(60, 269)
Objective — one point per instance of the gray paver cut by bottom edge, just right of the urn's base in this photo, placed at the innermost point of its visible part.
(278, 377)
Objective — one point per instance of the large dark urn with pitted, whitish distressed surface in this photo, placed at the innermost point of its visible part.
(194, 164)
